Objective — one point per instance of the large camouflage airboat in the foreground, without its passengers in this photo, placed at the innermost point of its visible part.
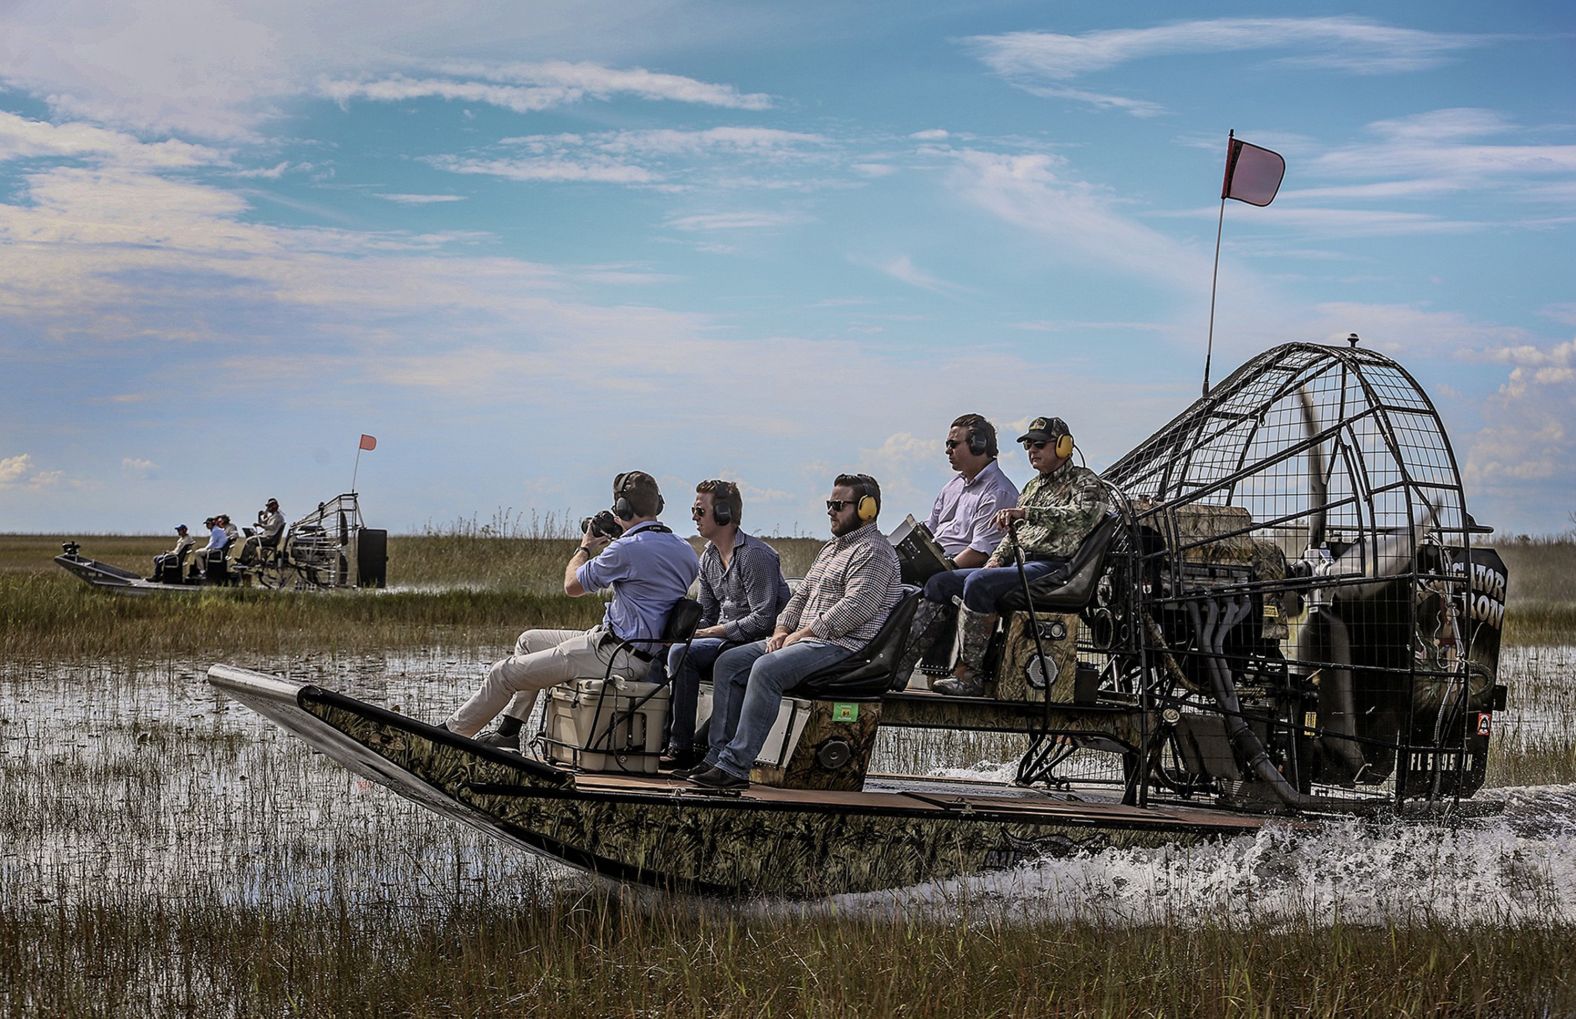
(1287, 620)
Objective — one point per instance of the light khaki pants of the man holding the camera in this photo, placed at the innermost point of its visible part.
(543, 659)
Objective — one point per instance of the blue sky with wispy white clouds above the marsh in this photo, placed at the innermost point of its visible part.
(529, 246)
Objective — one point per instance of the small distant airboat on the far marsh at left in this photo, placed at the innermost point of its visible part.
(329, 549)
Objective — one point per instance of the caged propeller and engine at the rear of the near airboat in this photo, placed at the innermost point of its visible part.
(1328, 628)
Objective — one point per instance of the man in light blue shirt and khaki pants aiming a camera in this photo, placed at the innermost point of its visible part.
(649, 568)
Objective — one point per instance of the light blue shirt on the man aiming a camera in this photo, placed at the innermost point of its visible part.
(649, 571)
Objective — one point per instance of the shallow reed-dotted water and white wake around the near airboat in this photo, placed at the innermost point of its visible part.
(130, 782)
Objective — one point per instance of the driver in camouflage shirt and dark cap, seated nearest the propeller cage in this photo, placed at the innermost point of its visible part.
(1060, 508)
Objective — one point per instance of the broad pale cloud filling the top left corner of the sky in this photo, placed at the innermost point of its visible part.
(217, 70)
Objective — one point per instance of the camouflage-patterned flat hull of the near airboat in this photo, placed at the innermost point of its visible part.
(666, 834)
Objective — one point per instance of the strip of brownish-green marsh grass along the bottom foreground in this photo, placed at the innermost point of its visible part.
(597, 957)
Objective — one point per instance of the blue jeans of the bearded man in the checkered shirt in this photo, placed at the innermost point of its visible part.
(748, 689)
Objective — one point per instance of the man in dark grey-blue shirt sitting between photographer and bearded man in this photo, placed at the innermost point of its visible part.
(742, 591)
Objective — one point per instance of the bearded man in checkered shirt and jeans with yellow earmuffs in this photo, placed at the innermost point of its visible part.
(838, 610)
